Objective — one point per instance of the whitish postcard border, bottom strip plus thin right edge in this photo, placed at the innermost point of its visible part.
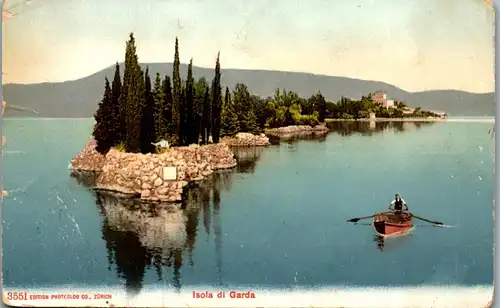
(360, 297)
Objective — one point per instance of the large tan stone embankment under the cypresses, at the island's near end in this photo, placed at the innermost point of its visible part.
(142, 174)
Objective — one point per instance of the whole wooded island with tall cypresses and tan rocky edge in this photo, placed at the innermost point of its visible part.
(152, 139)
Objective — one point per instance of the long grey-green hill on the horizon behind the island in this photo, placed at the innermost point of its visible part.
(79, 98)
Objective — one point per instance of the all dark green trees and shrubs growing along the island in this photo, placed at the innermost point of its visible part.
(134, 113)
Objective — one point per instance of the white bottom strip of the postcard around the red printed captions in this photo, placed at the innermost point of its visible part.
(328, 297)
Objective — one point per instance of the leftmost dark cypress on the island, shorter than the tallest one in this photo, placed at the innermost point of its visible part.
(102, 116)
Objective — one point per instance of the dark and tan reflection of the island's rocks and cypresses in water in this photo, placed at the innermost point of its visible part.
(142, 235)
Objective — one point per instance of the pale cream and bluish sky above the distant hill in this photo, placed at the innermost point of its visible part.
(417, 45)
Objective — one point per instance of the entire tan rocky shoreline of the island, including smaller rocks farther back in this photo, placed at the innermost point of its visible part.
(162, 177)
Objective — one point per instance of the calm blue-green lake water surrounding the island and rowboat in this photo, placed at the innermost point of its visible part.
(277, 221)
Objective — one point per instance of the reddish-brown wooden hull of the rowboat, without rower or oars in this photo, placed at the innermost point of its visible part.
(392, 224)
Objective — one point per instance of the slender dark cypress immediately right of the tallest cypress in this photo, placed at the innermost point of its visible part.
(147, 120)
